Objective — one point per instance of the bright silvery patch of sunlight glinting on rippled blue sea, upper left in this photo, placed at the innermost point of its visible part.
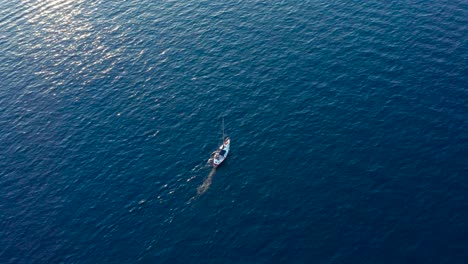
(67, 39)
